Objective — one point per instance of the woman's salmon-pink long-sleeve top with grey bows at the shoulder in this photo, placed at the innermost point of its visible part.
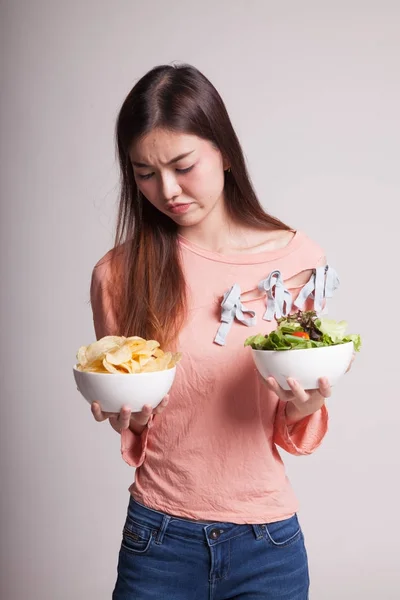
(212, 455)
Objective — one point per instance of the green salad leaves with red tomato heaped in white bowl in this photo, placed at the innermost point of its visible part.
(304, 329)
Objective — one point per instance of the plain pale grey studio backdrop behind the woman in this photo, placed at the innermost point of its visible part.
(313, 90)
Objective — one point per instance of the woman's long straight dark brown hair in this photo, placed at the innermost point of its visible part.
(149, 284)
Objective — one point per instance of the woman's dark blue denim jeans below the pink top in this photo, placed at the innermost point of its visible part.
(167, 558)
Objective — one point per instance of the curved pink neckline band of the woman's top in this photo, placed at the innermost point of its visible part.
(244, 259)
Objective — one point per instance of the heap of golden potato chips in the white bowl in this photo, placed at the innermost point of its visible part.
(129, 355)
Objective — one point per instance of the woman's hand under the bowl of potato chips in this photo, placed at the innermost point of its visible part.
(126, 419)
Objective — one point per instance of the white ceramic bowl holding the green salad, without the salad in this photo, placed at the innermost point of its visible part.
(306, 366)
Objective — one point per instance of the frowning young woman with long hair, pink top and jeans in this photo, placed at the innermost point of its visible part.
(196, 266)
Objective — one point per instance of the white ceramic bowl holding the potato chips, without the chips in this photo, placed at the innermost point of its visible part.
(113, 390)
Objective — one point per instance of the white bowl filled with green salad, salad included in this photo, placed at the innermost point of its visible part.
(305, 347)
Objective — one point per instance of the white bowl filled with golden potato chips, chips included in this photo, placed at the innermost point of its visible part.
(131, 371)
